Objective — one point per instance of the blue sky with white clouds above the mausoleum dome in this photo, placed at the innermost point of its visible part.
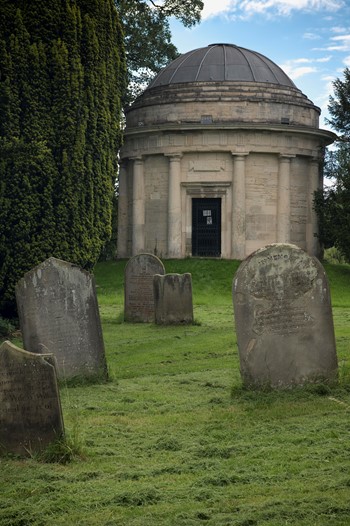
(308, 39)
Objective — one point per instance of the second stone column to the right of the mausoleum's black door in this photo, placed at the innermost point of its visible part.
(283, 199)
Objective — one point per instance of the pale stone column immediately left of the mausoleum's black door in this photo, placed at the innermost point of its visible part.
(174, 206)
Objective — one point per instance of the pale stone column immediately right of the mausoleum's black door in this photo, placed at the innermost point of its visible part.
(238, 206)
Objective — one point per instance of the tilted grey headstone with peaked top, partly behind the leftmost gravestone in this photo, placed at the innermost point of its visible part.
(58, 313)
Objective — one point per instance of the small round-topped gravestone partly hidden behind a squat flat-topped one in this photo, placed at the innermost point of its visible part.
(138, 287)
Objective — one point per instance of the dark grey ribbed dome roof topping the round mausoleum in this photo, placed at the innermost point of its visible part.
(220, 63)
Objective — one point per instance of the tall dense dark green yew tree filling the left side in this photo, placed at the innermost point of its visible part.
(62, 77)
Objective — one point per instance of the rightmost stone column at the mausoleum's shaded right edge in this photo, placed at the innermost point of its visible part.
(312, 242)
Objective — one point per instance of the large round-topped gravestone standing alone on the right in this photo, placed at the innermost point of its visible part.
(283, 319)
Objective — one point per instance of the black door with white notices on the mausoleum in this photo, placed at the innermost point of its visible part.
(206, 227)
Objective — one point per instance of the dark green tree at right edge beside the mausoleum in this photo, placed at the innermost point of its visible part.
(333, 204)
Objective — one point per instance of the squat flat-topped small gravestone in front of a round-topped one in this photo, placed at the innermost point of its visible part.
(173, 299)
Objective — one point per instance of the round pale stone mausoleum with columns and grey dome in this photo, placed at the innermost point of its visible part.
(222, 155)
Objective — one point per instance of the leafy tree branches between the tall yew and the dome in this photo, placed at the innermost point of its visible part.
(148, 38)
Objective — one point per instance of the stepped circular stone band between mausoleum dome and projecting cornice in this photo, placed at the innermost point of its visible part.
(234, 102)
